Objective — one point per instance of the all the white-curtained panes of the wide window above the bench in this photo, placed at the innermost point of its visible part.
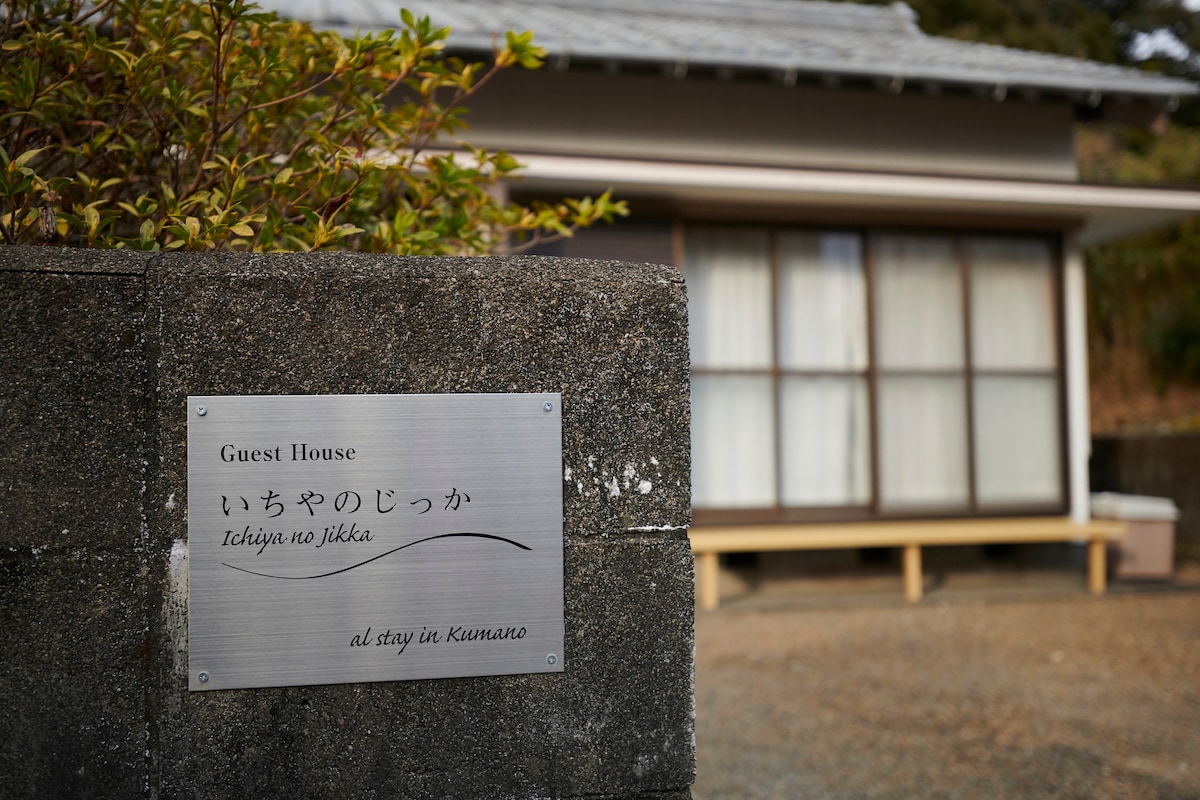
(821, 448)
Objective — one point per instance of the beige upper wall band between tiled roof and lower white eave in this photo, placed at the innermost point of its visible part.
(709, 122)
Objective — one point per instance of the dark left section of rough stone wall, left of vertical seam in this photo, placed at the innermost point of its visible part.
(75, 582)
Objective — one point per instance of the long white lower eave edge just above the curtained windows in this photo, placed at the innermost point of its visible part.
(1102, 212)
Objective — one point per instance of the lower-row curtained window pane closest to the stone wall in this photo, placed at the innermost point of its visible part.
(733, 442)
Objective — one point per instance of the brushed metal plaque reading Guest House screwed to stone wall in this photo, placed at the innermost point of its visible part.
(363, 538)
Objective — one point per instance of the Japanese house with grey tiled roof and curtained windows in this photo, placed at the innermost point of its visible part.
(881, 233)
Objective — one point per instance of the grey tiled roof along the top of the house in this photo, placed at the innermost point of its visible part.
(784, 40)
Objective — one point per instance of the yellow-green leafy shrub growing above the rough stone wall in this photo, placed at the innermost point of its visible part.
(211, 125)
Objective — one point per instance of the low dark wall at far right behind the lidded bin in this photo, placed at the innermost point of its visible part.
(1165, 466)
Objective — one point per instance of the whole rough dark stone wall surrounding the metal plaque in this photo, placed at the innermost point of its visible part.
(100, 353)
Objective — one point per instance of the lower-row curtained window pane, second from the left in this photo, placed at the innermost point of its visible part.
(826, 442)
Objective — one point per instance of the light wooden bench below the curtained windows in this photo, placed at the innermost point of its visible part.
(707, 544)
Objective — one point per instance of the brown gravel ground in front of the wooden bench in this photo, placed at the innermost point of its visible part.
(1064, 696)
